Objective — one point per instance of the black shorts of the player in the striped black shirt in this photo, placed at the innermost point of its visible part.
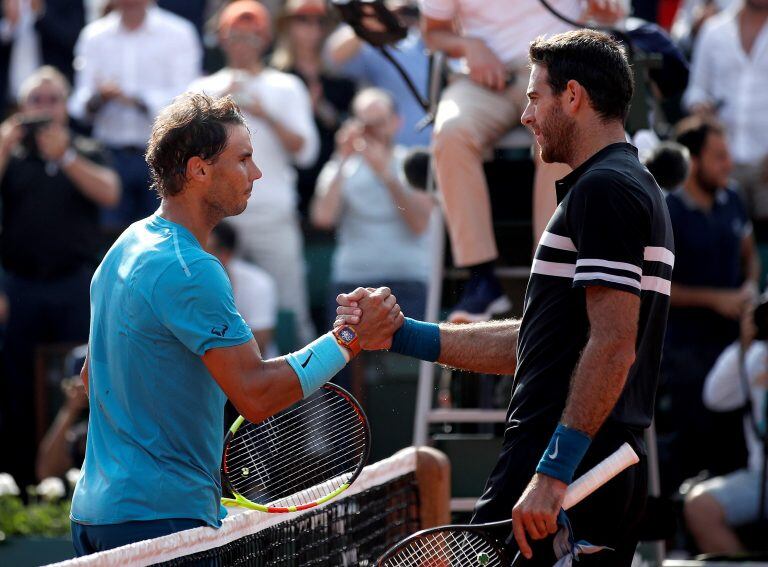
(609, 517)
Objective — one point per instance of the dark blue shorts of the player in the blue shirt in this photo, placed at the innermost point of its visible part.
(89, 539)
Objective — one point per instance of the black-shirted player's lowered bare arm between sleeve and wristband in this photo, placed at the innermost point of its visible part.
(602, 371)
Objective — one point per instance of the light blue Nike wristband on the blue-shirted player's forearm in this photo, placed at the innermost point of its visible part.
(318, 362)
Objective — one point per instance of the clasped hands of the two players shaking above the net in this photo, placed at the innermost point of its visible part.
(373, 313)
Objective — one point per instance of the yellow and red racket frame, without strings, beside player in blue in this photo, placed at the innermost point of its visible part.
(240, 500)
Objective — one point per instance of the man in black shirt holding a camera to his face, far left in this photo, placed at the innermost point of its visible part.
(51, 185)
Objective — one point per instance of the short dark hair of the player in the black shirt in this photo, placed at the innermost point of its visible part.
(593, 59)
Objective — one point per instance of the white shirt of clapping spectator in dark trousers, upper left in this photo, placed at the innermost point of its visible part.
(155, 63)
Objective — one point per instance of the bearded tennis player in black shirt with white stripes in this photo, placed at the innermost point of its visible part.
(586, 353)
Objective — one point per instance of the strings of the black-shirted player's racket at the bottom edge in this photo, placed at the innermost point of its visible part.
(447, 548)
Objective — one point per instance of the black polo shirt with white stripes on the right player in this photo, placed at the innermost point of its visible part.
(610, 229)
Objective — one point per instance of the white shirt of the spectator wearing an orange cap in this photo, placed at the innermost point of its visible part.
(285, 98)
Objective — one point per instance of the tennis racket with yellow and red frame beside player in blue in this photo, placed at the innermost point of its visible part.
(298, 458)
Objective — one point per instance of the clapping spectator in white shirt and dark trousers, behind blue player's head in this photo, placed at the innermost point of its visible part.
(129, 64)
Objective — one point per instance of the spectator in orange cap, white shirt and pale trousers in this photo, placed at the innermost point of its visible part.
(278, 111)
